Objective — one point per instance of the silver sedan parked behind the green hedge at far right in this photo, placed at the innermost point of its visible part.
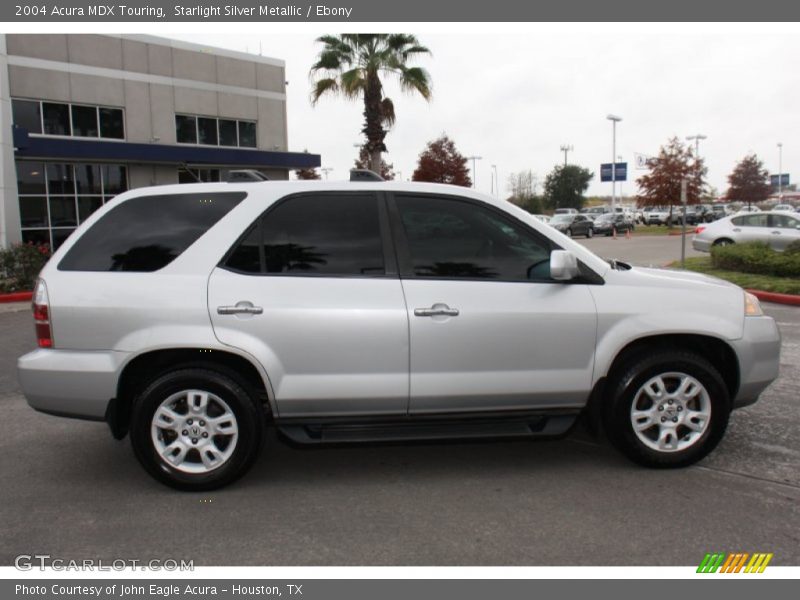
(776, 229)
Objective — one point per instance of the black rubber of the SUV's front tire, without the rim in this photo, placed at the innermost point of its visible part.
(623, 388)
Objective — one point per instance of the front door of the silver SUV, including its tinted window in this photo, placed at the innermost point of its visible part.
(489, 329)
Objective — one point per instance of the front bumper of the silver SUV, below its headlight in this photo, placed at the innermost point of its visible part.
(759, 358)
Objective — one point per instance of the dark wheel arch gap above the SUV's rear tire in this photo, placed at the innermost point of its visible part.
(144, 367)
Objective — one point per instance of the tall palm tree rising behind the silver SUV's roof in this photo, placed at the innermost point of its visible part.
(352, 64)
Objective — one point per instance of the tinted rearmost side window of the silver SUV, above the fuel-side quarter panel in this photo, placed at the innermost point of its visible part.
(147, 233)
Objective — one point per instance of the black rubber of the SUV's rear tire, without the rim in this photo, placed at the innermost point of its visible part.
(244, 405)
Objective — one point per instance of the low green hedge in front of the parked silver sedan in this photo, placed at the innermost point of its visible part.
(759, 258)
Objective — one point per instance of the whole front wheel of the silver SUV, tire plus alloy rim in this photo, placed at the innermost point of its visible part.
(700, 416)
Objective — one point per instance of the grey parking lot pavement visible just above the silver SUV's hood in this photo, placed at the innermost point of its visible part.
(645, 250)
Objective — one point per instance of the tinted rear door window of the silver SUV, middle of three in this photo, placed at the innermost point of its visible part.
(326, 235)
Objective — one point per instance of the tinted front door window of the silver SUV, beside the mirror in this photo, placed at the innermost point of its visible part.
(454, 239)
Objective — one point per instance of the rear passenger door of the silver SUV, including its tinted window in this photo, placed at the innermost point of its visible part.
(312, 292)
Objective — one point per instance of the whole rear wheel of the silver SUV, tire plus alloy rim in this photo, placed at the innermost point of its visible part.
(212, 444)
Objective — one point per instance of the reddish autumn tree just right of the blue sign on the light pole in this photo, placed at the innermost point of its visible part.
(662, 185)
